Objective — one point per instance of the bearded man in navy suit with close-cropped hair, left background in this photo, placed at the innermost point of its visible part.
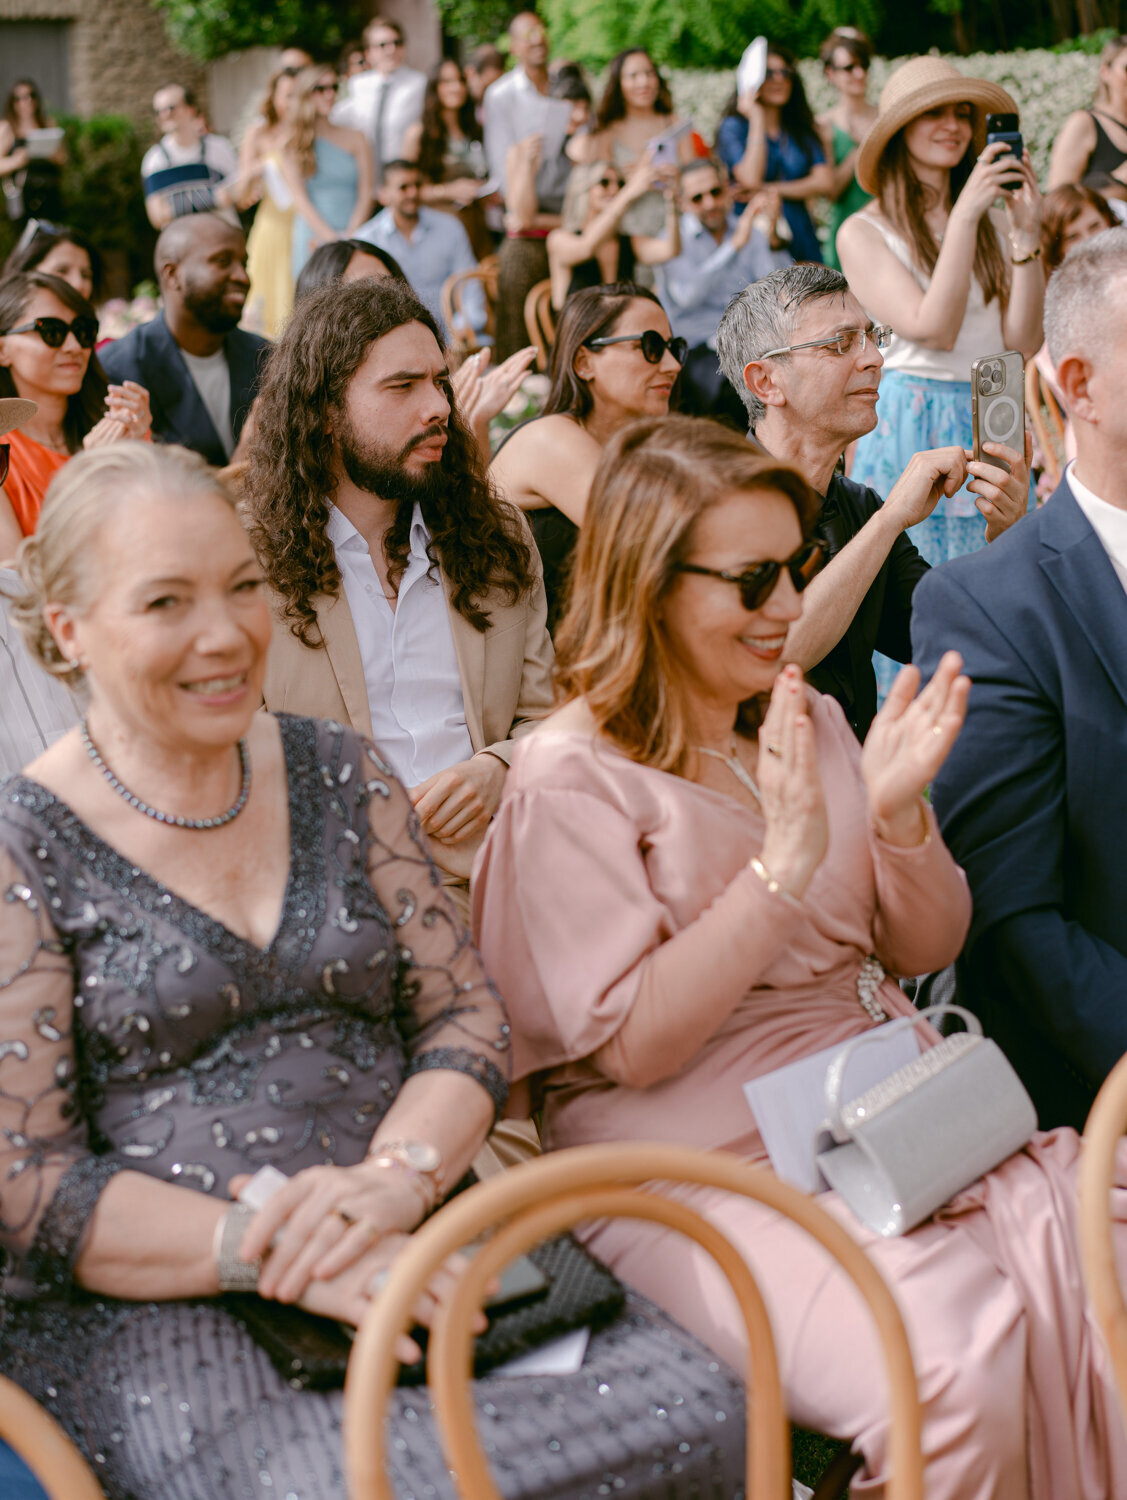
(199, 367)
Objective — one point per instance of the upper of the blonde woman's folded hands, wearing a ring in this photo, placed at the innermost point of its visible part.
(325, 1220)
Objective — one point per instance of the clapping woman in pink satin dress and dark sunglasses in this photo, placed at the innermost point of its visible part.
(675, 904)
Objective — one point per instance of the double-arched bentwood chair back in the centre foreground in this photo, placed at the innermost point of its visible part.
(554, 1193)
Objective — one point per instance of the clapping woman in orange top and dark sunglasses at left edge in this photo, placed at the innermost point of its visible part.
(47, 355)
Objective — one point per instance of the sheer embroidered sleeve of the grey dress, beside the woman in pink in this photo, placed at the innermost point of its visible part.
(449, 1013)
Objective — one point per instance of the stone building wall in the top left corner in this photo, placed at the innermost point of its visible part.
(119, 55)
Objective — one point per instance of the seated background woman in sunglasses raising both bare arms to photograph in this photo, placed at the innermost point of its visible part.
(591, 248)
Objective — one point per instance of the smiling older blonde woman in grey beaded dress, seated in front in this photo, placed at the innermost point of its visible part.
(266, 974)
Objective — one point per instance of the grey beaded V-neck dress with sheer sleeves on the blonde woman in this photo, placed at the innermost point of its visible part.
(140, 1034)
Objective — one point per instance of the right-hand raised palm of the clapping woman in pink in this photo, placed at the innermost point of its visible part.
(910, 740)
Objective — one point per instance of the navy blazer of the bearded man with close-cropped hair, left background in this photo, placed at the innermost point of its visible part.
(151, 356)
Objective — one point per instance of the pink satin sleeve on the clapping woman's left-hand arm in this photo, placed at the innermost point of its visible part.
(576, 937)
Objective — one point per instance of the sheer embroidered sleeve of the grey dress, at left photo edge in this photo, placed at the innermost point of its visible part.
(50, 1181)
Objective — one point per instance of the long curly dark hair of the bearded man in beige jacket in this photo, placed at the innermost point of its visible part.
(479, 539)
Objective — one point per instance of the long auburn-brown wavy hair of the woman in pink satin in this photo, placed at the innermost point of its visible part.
(654, 484)
